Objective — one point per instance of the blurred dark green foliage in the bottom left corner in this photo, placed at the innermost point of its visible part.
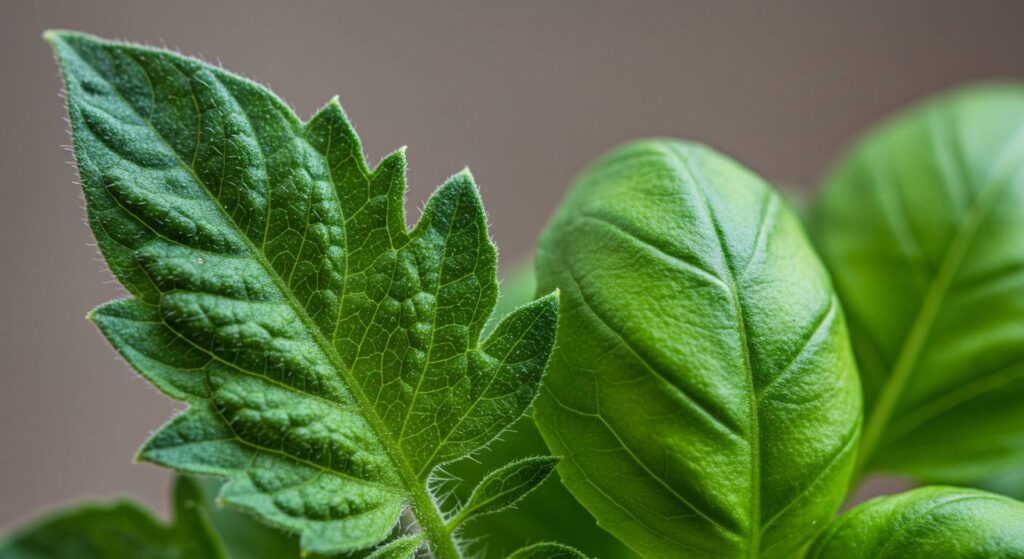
(121, 531)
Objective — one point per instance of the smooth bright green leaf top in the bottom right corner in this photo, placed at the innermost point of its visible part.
(928, 524)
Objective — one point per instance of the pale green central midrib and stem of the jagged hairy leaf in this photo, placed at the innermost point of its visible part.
(429, 515)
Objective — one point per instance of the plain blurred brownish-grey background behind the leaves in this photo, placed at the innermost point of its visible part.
(526, 94)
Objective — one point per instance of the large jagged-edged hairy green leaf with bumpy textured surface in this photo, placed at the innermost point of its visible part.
(330, 357)
